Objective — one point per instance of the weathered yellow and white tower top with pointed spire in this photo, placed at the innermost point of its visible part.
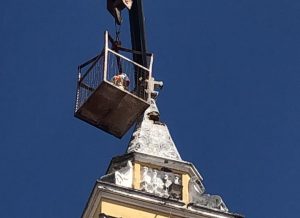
(152, 181)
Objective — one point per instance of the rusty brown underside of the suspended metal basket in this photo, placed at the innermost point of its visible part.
(111, 109)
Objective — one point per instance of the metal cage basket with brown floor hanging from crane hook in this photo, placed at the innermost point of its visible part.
(106, 96)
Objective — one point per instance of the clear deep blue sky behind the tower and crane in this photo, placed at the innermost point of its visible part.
(231, 101)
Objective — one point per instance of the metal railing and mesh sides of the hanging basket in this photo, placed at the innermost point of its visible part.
(113, 67)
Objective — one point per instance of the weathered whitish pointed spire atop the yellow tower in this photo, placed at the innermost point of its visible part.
(152, 136)
